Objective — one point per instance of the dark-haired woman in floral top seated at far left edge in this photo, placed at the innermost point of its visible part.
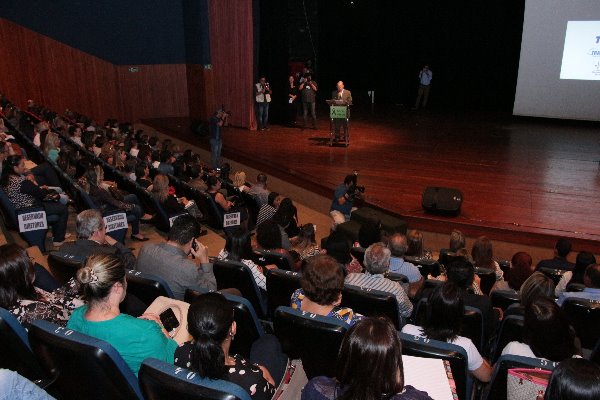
(26, 302)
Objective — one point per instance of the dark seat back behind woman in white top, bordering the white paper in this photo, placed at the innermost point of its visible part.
(457, 356)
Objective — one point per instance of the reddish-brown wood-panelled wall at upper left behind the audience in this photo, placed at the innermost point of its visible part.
(33, 66)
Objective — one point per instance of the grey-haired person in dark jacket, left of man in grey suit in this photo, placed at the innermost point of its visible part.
(92, 239)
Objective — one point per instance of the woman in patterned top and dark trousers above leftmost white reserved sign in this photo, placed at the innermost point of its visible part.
(23, 192)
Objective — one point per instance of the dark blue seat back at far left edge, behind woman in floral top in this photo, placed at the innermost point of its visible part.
(15, 352)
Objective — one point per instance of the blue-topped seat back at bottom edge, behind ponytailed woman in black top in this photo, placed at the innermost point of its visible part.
(160, 380)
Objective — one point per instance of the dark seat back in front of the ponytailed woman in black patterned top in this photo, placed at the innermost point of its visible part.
(245, 317)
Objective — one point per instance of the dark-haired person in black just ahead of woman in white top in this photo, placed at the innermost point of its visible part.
(461, 272)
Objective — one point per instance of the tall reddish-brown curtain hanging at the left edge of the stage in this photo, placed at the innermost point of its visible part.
(232, 58)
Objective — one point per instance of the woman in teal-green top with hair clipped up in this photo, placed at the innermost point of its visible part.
(104, 287)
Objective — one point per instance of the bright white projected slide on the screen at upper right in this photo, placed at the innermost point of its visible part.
(581, 54)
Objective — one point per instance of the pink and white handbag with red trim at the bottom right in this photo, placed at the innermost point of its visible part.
(527, 383)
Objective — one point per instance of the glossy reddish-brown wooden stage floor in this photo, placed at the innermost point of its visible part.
(523, 180)
